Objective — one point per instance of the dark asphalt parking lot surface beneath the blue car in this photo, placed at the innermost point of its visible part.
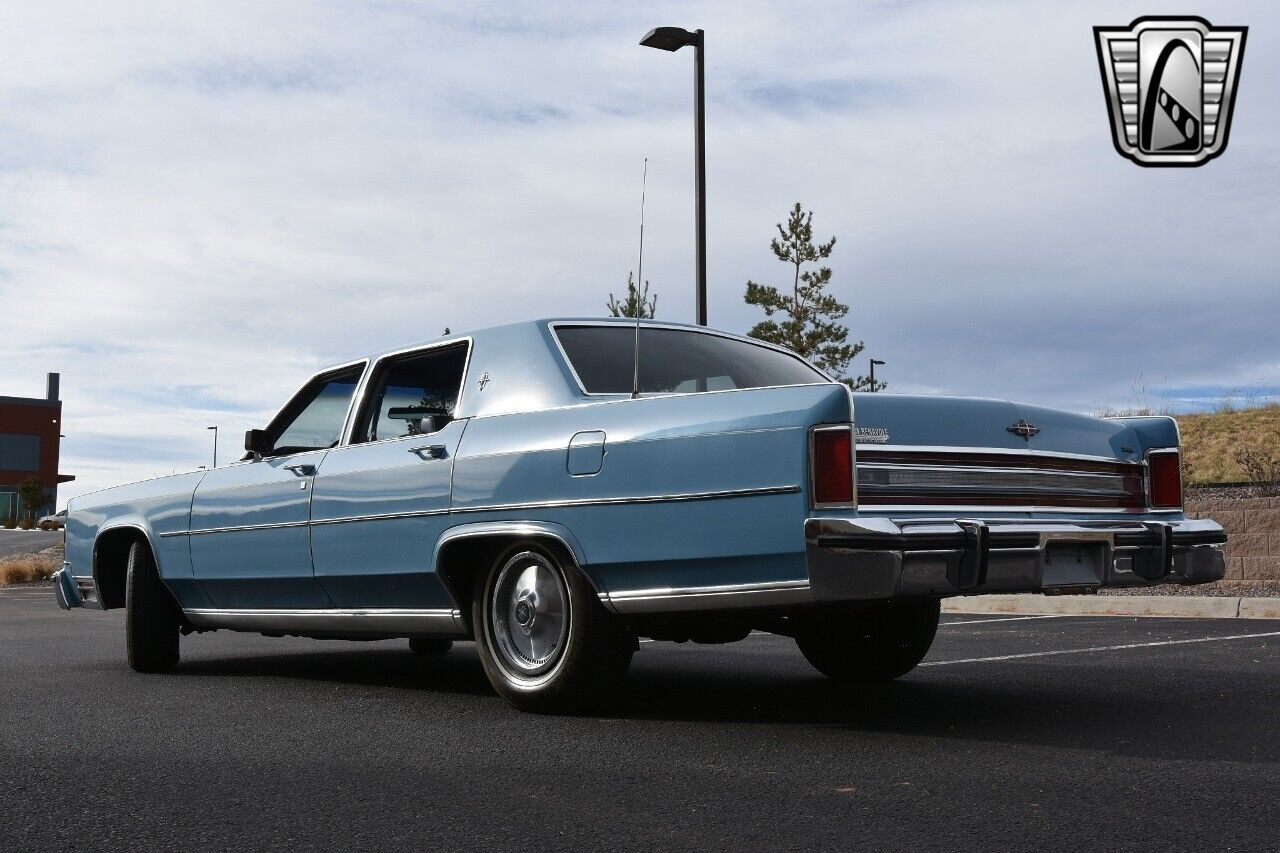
(1017, 733)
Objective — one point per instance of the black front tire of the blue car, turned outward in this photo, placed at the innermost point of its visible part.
(152, 617)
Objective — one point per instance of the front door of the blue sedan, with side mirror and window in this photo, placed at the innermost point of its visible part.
(250, 539)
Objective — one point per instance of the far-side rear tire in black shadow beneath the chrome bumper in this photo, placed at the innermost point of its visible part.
(875, 645)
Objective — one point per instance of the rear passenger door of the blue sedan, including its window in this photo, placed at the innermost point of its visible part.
(382, 501)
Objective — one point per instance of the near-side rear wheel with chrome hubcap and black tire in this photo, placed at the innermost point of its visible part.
(546, 641)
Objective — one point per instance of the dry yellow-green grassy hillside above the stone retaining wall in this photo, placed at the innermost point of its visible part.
(1212, 441)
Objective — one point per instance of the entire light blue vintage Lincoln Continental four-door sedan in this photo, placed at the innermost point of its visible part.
(557, 490)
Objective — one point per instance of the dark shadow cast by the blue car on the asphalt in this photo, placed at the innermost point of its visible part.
(1139, 711)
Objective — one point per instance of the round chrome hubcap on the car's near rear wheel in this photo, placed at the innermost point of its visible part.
(531, 614)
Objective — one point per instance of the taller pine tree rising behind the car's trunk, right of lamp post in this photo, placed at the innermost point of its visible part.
(810, 323)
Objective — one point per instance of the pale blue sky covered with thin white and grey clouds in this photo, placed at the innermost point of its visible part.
(203, 204)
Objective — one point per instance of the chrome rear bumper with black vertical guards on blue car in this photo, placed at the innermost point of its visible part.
(877, 558)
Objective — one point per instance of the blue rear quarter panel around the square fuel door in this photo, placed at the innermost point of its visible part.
(636, 519)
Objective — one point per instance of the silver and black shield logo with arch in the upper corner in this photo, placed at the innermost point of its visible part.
(1171, 86)
